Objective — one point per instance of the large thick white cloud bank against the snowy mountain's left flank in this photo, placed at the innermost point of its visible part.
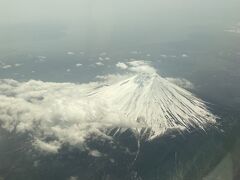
(61, 110)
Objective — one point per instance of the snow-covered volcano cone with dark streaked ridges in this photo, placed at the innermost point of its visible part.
(154, 102)
